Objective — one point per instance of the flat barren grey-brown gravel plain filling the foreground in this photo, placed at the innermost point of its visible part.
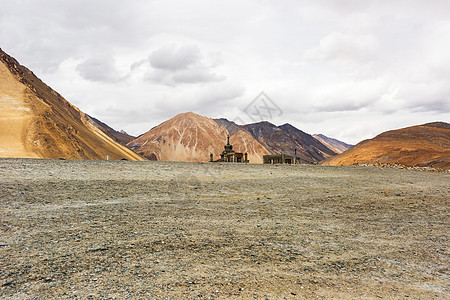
(165, 230)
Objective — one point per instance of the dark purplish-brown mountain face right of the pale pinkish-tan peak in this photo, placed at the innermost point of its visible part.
(283, 139)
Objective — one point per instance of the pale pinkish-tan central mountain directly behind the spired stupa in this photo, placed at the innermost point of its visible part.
(191, 137)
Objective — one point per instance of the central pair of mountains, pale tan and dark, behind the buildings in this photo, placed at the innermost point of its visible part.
(191, 137)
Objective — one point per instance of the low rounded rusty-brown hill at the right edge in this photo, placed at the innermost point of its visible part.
(425, 145)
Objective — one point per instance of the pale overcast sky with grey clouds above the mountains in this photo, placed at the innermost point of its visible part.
(350, 69)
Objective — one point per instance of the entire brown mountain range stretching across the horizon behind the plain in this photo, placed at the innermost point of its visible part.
(37, 122)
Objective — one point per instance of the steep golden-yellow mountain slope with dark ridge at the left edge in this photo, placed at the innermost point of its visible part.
(36, 121)
